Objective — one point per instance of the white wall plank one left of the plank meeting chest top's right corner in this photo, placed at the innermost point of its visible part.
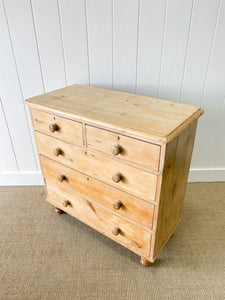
(177, 26)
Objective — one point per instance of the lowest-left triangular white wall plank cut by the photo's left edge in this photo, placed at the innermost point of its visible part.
(7, 156)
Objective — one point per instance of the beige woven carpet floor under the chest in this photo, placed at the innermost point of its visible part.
(49, 256)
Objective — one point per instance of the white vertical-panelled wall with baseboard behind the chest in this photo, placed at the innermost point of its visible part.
(171, 49)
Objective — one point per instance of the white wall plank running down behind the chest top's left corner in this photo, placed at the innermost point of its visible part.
(26, 53)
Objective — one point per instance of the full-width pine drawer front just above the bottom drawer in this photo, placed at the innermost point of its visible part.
(124, 204)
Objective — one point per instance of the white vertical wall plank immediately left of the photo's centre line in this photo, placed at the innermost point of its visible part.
(99, 28)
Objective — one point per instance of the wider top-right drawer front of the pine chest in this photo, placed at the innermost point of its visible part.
(123, 147)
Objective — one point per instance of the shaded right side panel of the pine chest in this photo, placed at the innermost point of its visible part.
(177, 162)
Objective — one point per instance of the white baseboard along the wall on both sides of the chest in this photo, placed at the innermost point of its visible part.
(195, 175)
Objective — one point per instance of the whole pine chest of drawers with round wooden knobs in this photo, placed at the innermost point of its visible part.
(118, 162)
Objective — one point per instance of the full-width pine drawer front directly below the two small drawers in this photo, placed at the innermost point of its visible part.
(138, 182)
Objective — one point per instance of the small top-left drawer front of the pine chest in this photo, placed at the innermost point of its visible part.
(58, 127)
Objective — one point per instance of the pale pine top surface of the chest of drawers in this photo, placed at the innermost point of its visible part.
(155, 118)
